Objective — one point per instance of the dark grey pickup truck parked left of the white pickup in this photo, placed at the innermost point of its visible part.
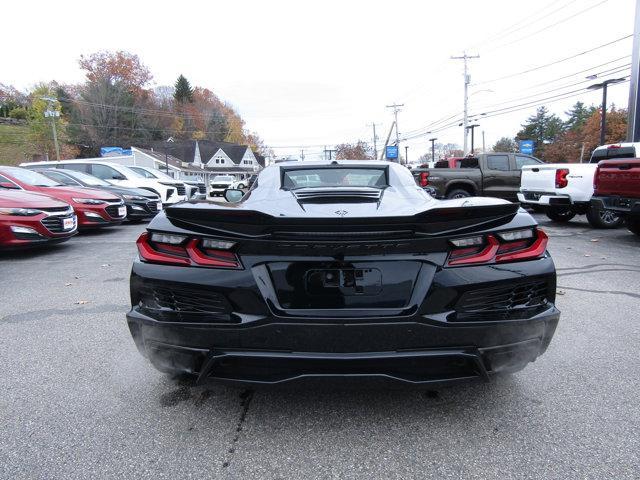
(488, 174)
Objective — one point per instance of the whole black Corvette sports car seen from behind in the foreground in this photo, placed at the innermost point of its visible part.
(342, 269)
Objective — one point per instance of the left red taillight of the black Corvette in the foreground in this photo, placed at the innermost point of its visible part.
(180, 250)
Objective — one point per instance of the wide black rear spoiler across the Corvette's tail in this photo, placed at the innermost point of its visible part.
(238, 222)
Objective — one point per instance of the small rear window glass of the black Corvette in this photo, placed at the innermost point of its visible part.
(334, 177)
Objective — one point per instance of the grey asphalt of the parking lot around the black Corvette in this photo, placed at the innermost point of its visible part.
(78, 401)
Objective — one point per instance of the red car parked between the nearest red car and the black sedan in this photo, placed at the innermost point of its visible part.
(94, 208)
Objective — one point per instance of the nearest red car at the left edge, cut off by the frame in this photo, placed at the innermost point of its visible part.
(30, 219)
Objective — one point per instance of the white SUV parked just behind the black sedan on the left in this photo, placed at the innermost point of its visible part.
(121, 176)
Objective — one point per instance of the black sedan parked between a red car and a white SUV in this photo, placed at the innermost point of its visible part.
(141, 204)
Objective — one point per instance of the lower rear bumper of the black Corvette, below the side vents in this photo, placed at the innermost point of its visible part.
(418, 351)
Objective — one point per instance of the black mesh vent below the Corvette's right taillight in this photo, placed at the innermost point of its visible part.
(503, 302)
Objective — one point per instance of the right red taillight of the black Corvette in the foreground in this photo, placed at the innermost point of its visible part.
(511, 246)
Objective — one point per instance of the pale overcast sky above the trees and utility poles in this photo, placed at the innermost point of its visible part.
(308, 74)
